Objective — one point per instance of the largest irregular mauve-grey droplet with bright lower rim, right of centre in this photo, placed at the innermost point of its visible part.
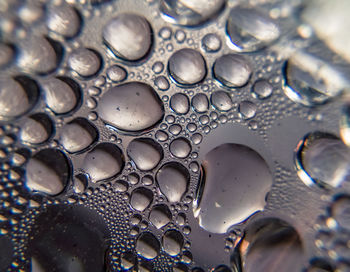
(234, 182)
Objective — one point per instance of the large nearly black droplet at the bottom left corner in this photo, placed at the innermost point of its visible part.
(69, 238)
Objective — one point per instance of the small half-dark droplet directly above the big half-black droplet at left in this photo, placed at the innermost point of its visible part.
(36, 129)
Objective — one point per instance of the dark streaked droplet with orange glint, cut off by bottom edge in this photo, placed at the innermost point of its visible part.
(269, 244)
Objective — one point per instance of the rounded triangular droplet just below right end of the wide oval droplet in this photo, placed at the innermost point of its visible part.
(145, 153)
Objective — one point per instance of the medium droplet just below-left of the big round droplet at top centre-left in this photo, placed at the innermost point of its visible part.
(86, 62)
